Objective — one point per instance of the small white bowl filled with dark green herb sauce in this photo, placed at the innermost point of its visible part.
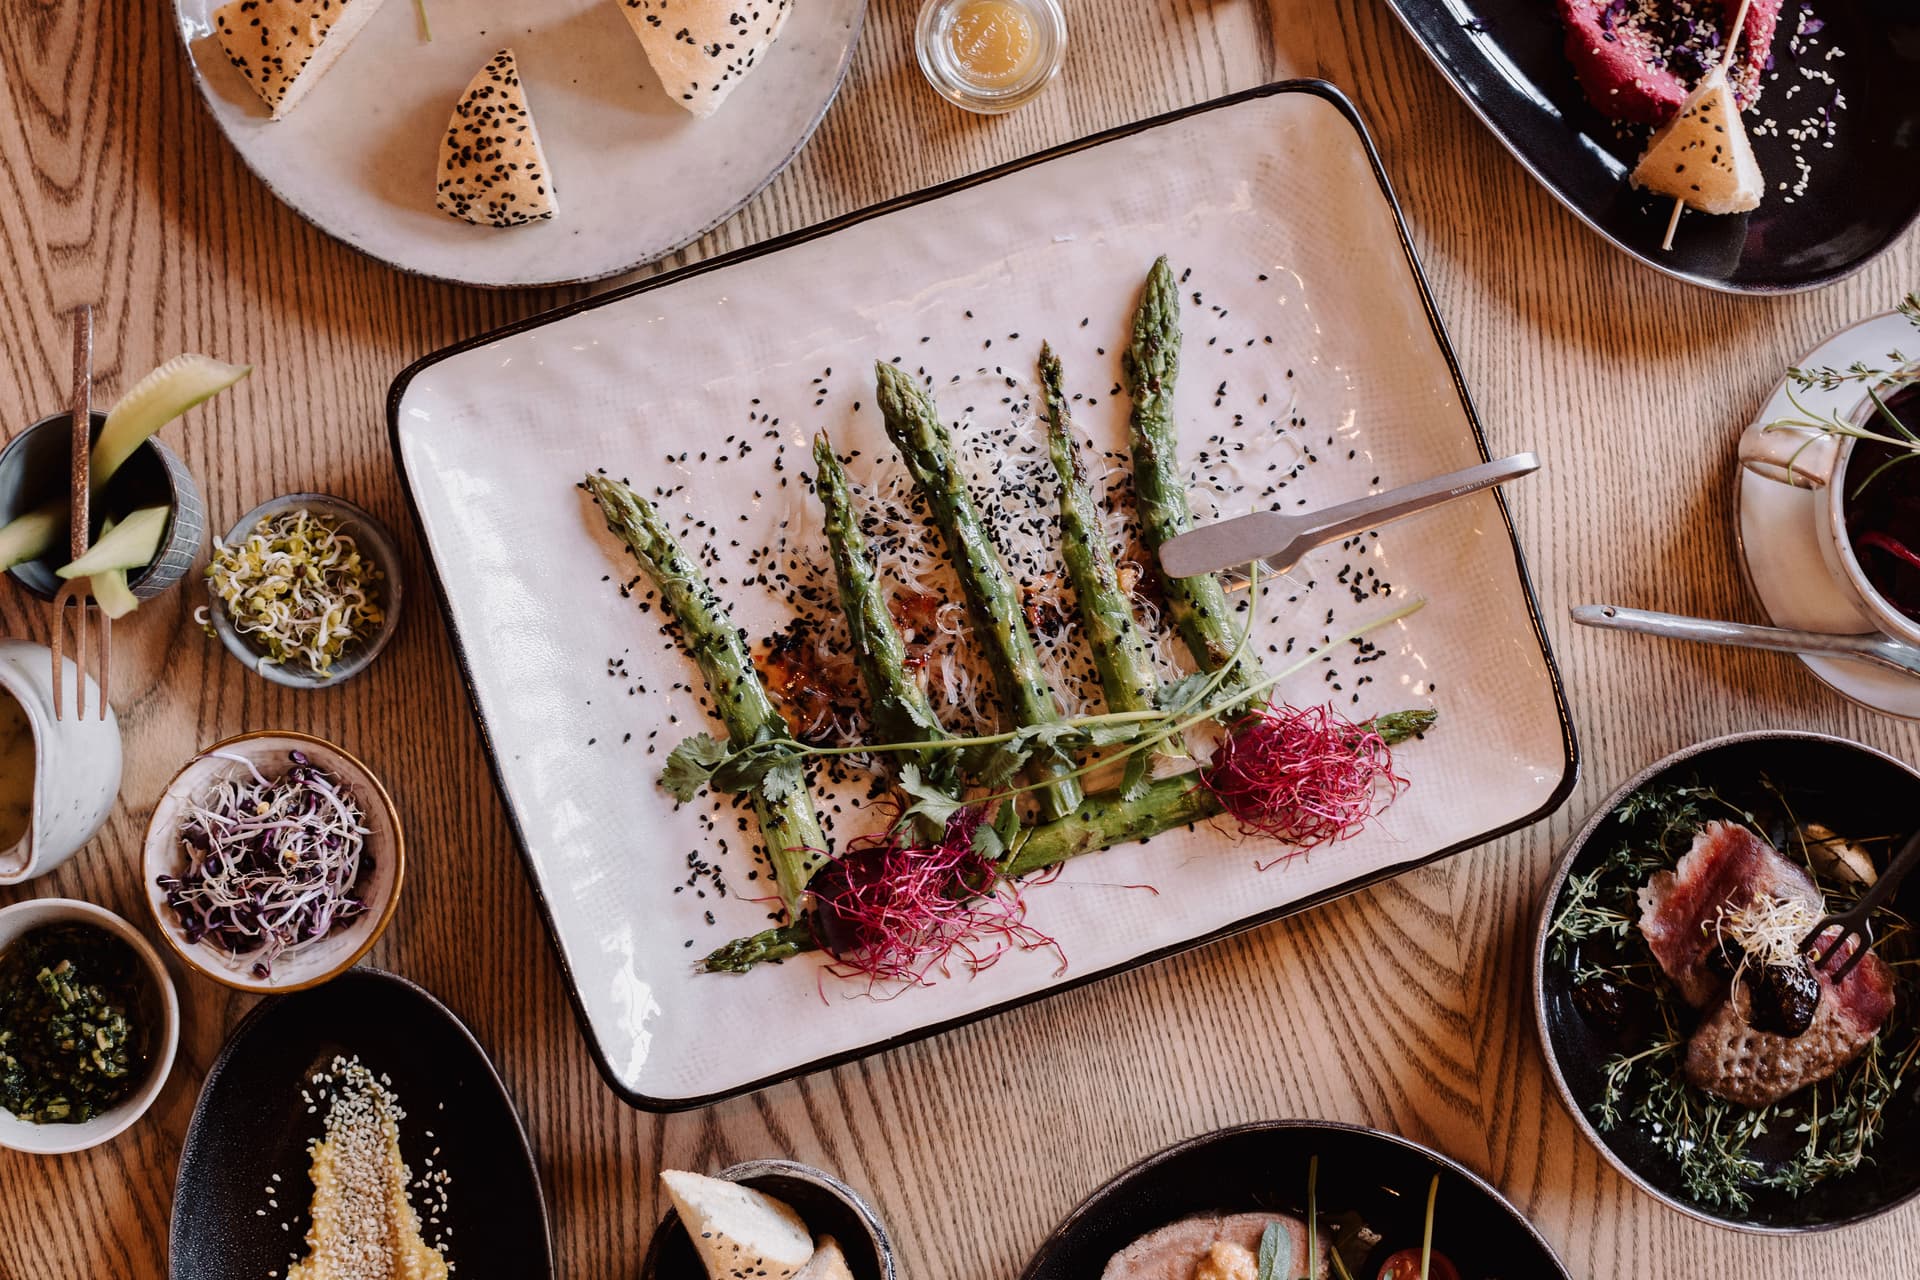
(116, 989)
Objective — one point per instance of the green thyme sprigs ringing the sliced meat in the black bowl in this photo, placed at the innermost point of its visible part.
(1714, 1143)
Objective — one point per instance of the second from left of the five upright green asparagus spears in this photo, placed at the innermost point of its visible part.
(896, 701)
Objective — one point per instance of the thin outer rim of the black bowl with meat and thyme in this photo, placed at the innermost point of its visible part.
(1577, 845)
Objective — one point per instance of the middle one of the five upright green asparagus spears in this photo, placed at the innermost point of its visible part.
(994, 605)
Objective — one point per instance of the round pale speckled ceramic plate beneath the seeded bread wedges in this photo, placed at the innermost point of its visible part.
(636, 176)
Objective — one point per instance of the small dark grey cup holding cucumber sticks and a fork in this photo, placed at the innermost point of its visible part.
(34, 467)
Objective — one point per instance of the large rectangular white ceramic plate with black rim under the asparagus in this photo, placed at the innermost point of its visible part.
(1278, 206)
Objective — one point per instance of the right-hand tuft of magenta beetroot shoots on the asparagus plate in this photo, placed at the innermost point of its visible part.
(1303, 776)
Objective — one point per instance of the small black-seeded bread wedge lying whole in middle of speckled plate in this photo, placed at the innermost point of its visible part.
(492, 170)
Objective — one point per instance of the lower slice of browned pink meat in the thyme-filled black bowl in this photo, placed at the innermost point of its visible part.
(1754, 1068)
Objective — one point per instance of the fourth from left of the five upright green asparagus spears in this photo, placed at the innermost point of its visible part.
(1120, 648)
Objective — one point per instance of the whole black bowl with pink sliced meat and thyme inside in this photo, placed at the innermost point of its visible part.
(1687, 1026)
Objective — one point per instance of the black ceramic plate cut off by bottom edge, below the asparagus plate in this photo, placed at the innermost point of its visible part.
(1264, 1168)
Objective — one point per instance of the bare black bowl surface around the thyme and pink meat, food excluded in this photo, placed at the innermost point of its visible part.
(1775, 782)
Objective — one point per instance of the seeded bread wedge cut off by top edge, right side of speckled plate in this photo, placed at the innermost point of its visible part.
(702, 49)
